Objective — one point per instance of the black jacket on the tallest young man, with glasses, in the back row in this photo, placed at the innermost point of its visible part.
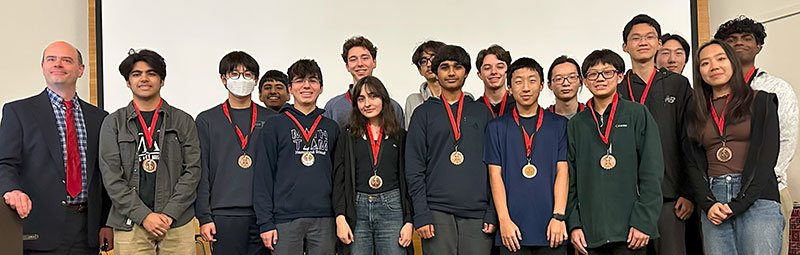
(667, 100)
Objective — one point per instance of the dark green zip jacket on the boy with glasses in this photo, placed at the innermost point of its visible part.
(606, 203)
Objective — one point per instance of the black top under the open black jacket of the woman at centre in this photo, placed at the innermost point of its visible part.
(387, 165)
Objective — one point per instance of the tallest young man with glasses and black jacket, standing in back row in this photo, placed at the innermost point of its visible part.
(667, 96)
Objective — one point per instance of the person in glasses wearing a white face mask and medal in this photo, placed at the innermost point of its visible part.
(224, 205)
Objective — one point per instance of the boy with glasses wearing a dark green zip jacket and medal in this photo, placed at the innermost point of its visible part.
(615, 166)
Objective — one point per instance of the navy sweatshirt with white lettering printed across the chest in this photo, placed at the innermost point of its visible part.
(283, 188)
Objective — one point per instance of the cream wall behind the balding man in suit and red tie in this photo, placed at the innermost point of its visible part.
(27, 28)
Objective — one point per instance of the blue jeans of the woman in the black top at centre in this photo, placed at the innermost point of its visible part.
(378, 224)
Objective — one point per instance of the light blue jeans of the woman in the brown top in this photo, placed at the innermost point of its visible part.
(755, 231)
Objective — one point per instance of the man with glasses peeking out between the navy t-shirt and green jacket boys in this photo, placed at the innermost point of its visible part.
(564, 79)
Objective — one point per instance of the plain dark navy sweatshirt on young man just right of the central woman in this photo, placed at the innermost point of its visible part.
(434, 183)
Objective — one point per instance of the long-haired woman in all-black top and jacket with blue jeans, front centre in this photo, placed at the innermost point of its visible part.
(373, 209)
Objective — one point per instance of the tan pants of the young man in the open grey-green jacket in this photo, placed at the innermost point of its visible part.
(179, 240)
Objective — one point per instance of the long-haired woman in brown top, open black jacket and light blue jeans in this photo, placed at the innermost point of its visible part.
(734, 148)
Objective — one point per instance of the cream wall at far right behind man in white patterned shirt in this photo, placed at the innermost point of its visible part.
(779, 55)
